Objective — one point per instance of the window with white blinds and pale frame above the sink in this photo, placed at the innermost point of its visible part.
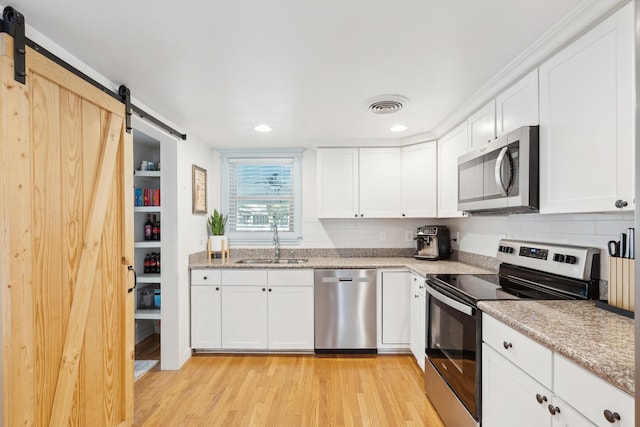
(261, 189)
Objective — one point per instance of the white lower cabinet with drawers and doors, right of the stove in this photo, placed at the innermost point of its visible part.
(513, 392)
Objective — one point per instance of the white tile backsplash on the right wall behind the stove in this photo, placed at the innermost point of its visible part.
(480, 235)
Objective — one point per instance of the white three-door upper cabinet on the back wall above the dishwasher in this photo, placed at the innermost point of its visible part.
(377, 182)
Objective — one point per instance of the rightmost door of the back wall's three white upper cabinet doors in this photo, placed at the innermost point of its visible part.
(419, 180)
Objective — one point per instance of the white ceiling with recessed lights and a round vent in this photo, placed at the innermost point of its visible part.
(218, 68)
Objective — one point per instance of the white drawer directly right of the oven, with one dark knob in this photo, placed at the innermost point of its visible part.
(528, 355)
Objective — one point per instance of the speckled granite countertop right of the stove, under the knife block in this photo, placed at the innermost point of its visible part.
(599, 341)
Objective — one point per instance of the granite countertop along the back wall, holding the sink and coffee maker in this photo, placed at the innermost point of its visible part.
(419, 267)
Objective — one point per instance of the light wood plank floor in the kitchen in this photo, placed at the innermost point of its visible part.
(286, 390)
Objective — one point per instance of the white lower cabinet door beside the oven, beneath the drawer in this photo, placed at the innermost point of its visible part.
(509, 396)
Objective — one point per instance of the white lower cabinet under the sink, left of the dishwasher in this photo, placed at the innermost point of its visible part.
(252, 309)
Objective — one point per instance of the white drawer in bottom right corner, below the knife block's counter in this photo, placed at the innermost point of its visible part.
(591, 395)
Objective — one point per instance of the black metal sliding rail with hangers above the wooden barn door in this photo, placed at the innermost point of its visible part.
(13, 23)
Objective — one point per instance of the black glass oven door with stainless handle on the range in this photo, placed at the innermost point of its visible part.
(451, 344)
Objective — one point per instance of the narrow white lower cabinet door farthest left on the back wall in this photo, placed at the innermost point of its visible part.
(206, 328)
